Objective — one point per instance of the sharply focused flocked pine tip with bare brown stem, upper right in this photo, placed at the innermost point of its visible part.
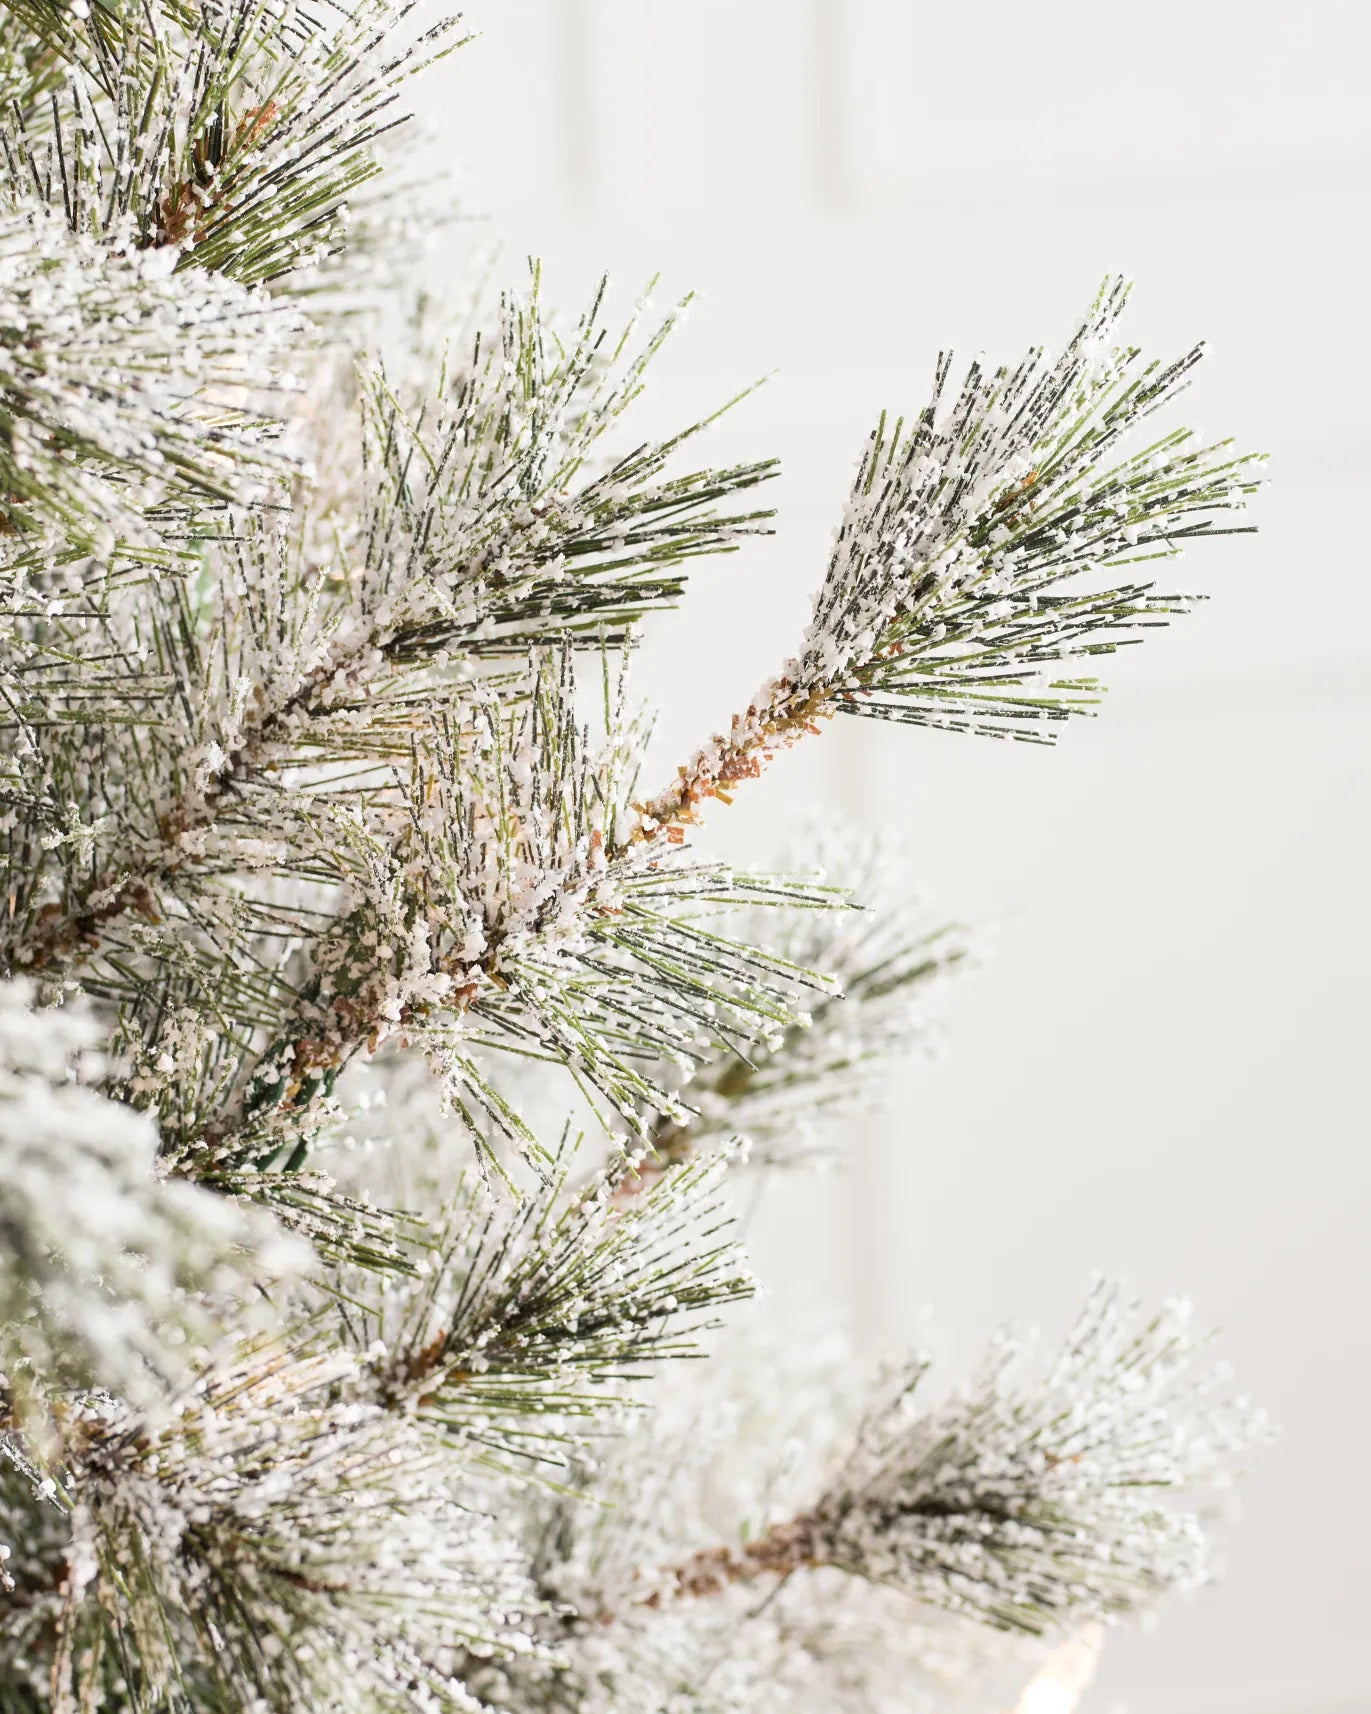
(950, 597)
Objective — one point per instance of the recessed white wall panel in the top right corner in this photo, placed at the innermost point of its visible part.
(1084, 97)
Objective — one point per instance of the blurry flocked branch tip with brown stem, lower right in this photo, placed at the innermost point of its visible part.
(1029, 1507)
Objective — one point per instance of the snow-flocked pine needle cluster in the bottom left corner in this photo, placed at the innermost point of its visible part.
(275, 1547)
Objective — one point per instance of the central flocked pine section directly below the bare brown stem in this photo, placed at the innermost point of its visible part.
(510, 901)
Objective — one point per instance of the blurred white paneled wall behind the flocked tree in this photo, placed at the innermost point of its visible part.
(1163, 1072)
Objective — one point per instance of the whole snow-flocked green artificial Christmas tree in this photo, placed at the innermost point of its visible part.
(330, 1379)
